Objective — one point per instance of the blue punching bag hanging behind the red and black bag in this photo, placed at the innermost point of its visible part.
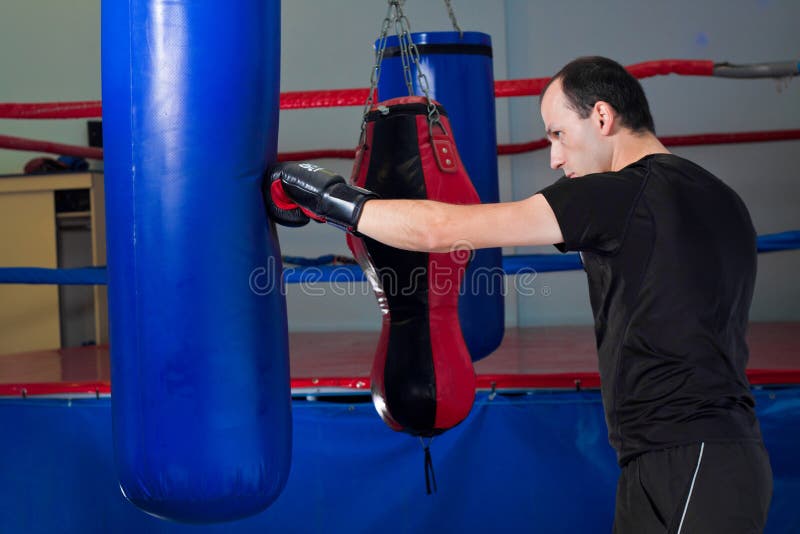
(459, 72)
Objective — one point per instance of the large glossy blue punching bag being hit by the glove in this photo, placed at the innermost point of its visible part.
(199, 369)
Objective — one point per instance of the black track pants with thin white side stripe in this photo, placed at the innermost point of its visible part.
(702, 488)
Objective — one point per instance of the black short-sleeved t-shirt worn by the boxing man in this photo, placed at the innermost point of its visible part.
(670, 254)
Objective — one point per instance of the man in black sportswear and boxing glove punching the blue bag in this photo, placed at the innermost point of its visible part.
(670, 254)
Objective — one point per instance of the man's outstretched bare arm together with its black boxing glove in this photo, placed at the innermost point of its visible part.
(421, 225)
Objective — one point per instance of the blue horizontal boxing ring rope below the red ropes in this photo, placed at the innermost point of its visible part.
(313, 270)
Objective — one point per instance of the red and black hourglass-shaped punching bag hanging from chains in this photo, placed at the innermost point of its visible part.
(422, 377)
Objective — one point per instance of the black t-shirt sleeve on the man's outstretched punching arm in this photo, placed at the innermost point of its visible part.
(593, 211)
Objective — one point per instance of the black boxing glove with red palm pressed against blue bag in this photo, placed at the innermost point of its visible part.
(319, 193)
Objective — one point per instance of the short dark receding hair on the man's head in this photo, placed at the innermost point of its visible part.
(590, 79)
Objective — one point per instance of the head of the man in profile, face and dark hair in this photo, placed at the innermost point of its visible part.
(588, 107)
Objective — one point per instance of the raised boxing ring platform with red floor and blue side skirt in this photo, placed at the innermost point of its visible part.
(533, 451)
